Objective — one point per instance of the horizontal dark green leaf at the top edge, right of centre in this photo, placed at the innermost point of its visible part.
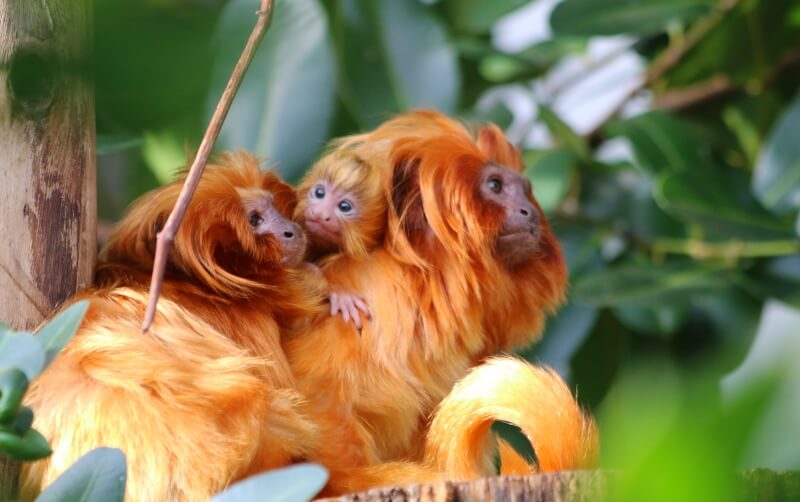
(614, 17)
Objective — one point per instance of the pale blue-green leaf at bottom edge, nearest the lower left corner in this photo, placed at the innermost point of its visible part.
(99, 475)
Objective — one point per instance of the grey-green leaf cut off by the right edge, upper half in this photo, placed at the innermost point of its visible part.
(776, 181)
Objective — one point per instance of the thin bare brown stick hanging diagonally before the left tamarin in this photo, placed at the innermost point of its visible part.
(167, 234)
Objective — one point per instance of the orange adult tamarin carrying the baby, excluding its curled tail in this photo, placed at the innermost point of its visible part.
(468, 266)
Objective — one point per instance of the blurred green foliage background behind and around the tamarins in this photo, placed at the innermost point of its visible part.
(661, 137)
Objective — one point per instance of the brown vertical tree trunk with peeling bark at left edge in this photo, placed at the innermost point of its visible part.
(47, 163)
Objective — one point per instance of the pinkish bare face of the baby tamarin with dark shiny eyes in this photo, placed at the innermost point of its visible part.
(329, 210)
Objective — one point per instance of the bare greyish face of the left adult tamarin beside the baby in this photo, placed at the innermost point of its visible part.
(264, 219)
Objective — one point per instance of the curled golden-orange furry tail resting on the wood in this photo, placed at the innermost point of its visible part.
(506, 389)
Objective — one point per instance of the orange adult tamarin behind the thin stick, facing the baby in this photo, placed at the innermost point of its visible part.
(206, 396)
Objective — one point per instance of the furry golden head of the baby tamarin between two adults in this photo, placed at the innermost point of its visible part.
(341, 204)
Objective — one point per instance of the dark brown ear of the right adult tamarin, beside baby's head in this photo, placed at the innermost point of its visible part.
(406, 197)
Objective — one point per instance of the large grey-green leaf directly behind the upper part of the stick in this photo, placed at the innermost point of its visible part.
(284, 107)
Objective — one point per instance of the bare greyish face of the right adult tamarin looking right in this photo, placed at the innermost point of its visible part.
(519, 235)
